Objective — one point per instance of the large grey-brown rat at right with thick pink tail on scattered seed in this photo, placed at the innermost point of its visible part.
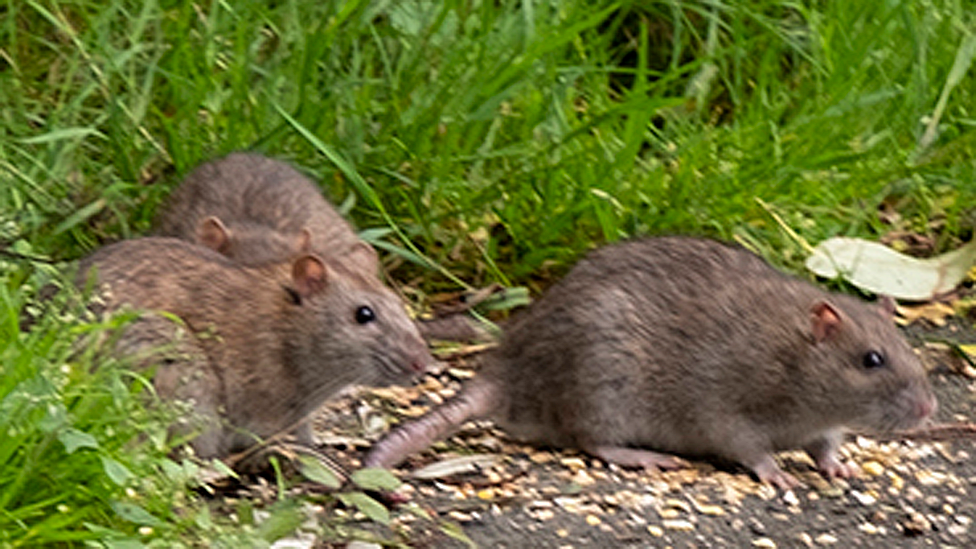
(680, 345)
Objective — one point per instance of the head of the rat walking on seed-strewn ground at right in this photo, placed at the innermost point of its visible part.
(866, 371)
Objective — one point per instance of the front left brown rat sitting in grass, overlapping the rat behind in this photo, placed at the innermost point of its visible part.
(254, 349)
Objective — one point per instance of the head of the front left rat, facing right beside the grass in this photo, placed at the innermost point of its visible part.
(351, 329)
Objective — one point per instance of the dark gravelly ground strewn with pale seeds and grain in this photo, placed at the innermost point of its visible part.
(915, 493)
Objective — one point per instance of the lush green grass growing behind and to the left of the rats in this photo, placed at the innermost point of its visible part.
(499, 139)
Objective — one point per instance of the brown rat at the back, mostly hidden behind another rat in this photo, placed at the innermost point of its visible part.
(257, 210)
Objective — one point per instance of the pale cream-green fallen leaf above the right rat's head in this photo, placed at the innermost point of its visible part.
(876, 268)
